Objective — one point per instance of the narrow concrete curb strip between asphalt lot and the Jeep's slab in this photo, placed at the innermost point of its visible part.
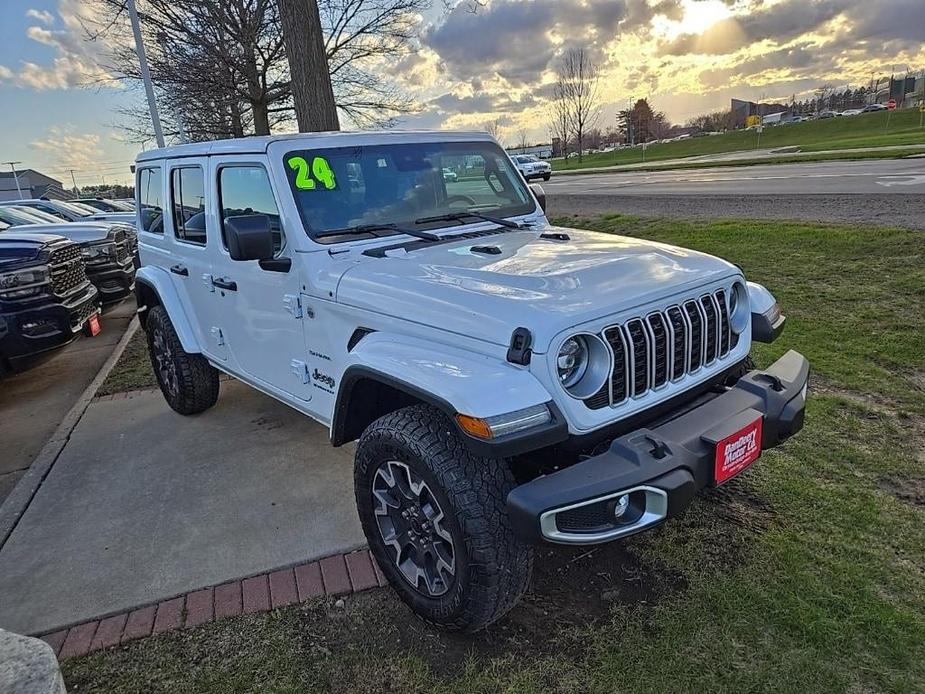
(19, 499)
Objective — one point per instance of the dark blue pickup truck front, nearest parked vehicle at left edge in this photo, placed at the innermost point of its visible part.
(46, 299)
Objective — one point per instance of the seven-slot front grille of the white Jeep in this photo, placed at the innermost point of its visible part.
(664, 346)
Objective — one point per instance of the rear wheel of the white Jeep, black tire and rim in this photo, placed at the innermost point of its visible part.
(188, 381)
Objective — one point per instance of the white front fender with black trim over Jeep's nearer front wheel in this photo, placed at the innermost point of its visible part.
(452, 380)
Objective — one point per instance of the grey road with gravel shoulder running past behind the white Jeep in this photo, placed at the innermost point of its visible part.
(889, 192)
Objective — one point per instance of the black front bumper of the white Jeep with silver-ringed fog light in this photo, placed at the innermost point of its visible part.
(659, 469)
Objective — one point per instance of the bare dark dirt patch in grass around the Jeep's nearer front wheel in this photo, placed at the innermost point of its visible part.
(571, 589)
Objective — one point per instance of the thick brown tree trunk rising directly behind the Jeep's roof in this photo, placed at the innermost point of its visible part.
(308, 65)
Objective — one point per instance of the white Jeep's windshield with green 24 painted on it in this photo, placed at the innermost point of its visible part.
(337, 189)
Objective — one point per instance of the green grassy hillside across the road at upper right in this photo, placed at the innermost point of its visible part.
(866, 130)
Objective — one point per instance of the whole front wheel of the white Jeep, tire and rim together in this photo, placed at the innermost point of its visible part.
(435, 519)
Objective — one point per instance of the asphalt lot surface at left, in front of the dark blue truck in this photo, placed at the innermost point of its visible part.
(33, 402)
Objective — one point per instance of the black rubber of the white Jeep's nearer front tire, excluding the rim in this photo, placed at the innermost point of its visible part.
(493, 567)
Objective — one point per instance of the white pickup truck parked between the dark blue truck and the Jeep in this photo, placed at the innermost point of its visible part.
(108, 249)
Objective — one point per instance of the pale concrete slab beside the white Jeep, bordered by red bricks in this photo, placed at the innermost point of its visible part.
(144, 504)
